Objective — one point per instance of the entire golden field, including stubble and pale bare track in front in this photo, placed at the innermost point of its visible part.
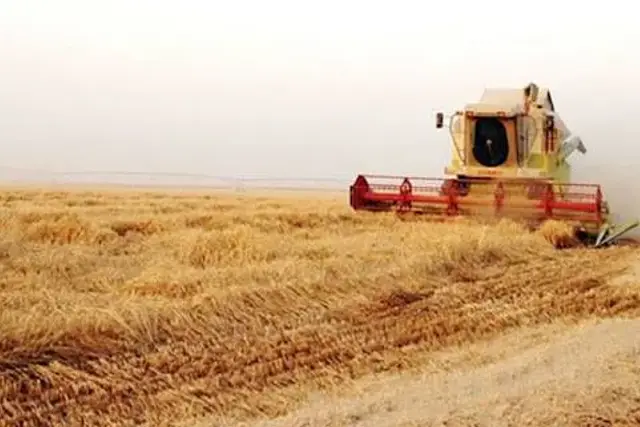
(132, 307)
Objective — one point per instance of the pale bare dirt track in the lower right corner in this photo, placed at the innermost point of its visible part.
(551, 375)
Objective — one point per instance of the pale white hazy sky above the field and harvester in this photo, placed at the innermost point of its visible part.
(298, 88)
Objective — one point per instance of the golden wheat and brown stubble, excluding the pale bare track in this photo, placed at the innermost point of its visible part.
(150, 307)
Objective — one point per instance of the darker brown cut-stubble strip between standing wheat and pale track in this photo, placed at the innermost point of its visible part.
(236, 374)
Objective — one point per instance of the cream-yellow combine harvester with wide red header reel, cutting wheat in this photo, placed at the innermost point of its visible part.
(510, 154)
